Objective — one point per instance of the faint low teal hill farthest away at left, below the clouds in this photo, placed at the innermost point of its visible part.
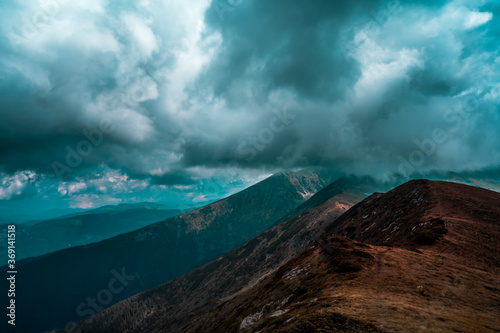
(42, 237)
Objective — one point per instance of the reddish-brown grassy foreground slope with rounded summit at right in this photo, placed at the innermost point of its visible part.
(424, 257)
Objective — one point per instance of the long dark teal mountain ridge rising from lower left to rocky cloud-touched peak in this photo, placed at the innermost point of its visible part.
(71, 284)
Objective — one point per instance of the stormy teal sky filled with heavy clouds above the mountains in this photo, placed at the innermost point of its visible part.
(103, 102)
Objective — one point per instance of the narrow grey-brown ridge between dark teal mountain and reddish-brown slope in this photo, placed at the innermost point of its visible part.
(199, 291)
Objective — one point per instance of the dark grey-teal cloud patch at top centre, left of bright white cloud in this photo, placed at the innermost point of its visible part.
(284, 44)
